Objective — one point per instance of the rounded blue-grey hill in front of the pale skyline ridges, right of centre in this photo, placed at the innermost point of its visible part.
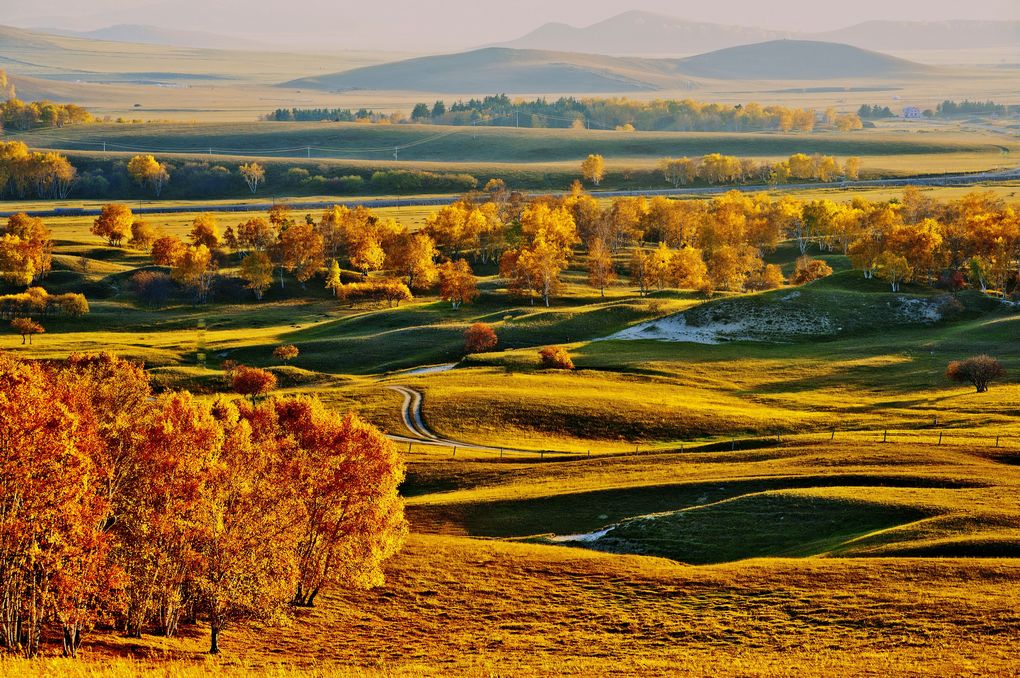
(799, 60)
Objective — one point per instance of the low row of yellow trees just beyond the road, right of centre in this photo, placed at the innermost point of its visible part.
(718, 169)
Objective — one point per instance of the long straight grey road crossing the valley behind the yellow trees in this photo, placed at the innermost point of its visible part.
(946, 180)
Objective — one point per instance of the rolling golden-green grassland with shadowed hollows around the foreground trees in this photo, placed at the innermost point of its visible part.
(763, 529)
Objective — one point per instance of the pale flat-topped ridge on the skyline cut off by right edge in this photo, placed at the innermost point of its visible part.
(891, 36)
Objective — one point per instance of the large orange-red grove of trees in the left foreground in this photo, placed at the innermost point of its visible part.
(144, 512)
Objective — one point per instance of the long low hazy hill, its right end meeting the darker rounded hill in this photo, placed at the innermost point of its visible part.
(500, 70)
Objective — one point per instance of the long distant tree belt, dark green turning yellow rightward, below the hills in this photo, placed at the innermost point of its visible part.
(624, 114)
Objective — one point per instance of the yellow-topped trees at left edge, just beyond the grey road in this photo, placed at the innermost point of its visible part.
(24, 173)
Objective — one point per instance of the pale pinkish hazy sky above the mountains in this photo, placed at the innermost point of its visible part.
(417, 25)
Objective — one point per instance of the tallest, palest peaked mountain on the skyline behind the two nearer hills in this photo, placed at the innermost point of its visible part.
(643, 33)
